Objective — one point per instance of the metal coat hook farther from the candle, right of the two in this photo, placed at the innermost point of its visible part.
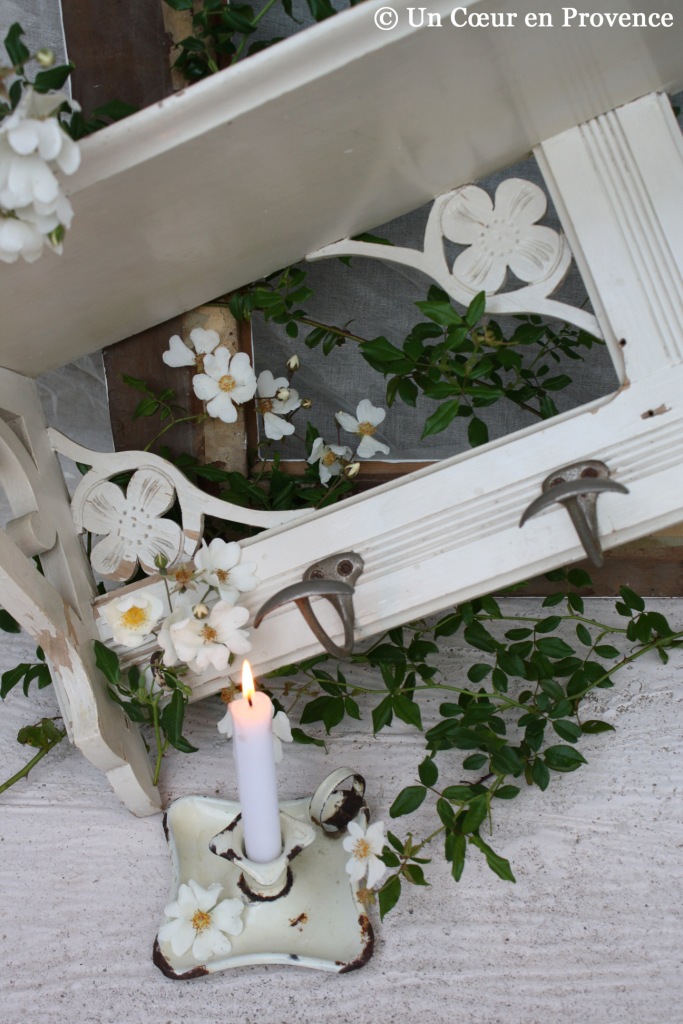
(577, 488)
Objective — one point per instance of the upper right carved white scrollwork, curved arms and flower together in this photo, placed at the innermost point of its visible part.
(498, 236)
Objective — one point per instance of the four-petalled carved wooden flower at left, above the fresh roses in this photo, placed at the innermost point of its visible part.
(132, 525)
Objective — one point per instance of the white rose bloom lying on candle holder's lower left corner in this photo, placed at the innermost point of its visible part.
(201, 924)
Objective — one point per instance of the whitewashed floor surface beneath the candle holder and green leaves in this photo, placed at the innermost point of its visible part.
(591, 932)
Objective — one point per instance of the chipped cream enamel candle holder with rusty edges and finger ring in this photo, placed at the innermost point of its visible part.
(301, 910)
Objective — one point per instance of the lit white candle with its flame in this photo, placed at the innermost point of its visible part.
(255, 765)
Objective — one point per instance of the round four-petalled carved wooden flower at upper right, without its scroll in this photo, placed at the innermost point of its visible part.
(500, 235)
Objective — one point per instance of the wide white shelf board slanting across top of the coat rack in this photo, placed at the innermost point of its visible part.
(329, 134)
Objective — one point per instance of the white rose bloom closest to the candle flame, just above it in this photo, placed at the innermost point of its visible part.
(210, 642)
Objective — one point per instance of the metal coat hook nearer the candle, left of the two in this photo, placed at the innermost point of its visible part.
(333, 579)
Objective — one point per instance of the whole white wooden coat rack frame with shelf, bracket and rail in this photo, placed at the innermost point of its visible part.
(449, 532)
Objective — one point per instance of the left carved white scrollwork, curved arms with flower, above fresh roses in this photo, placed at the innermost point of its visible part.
(133, 523)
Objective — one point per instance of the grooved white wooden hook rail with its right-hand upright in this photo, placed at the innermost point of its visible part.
(451, 532)
